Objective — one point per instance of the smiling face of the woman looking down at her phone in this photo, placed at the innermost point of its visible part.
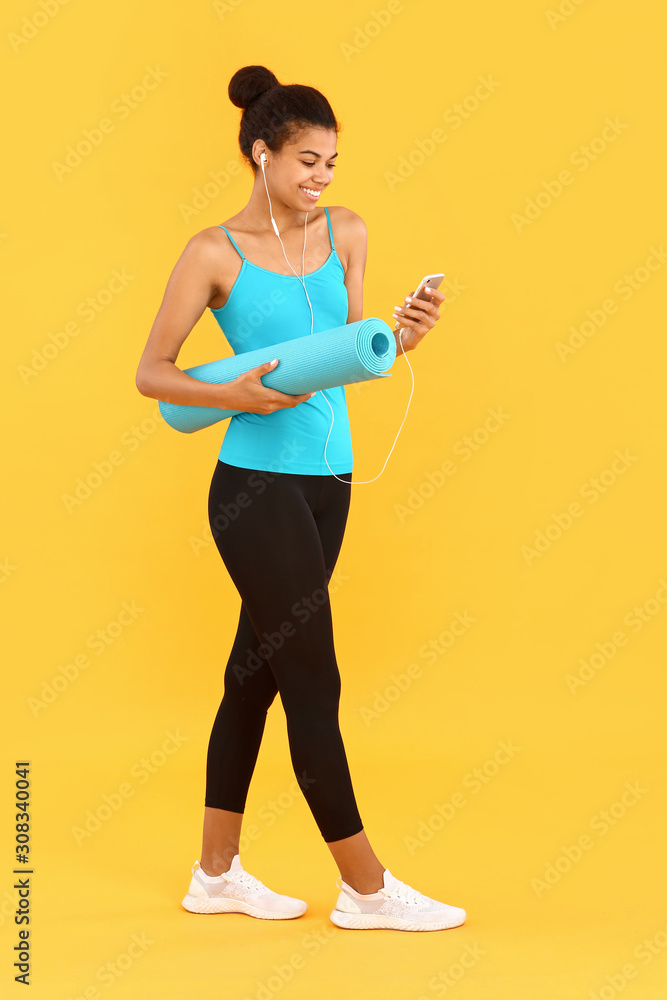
(303, 168)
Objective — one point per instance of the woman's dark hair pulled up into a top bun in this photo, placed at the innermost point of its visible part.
(273, 112)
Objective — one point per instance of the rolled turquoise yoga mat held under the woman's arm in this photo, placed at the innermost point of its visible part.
(356, 352)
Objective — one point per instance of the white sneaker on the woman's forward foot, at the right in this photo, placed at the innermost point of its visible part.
(396, 906)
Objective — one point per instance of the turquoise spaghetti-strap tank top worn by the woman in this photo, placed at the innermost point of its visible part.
(264, 308)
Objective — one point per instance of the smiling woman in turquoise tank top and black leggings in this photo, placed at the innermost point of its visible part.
(277, 505)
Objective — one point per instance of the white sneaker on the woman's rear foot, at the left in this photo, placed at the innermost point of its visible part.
(237, 891)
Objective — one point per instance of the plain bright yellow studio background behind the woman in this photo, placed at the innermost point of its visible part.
(141, 535)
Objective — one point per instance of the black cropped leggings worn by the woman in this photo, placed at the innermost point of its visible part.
(279, 535)
